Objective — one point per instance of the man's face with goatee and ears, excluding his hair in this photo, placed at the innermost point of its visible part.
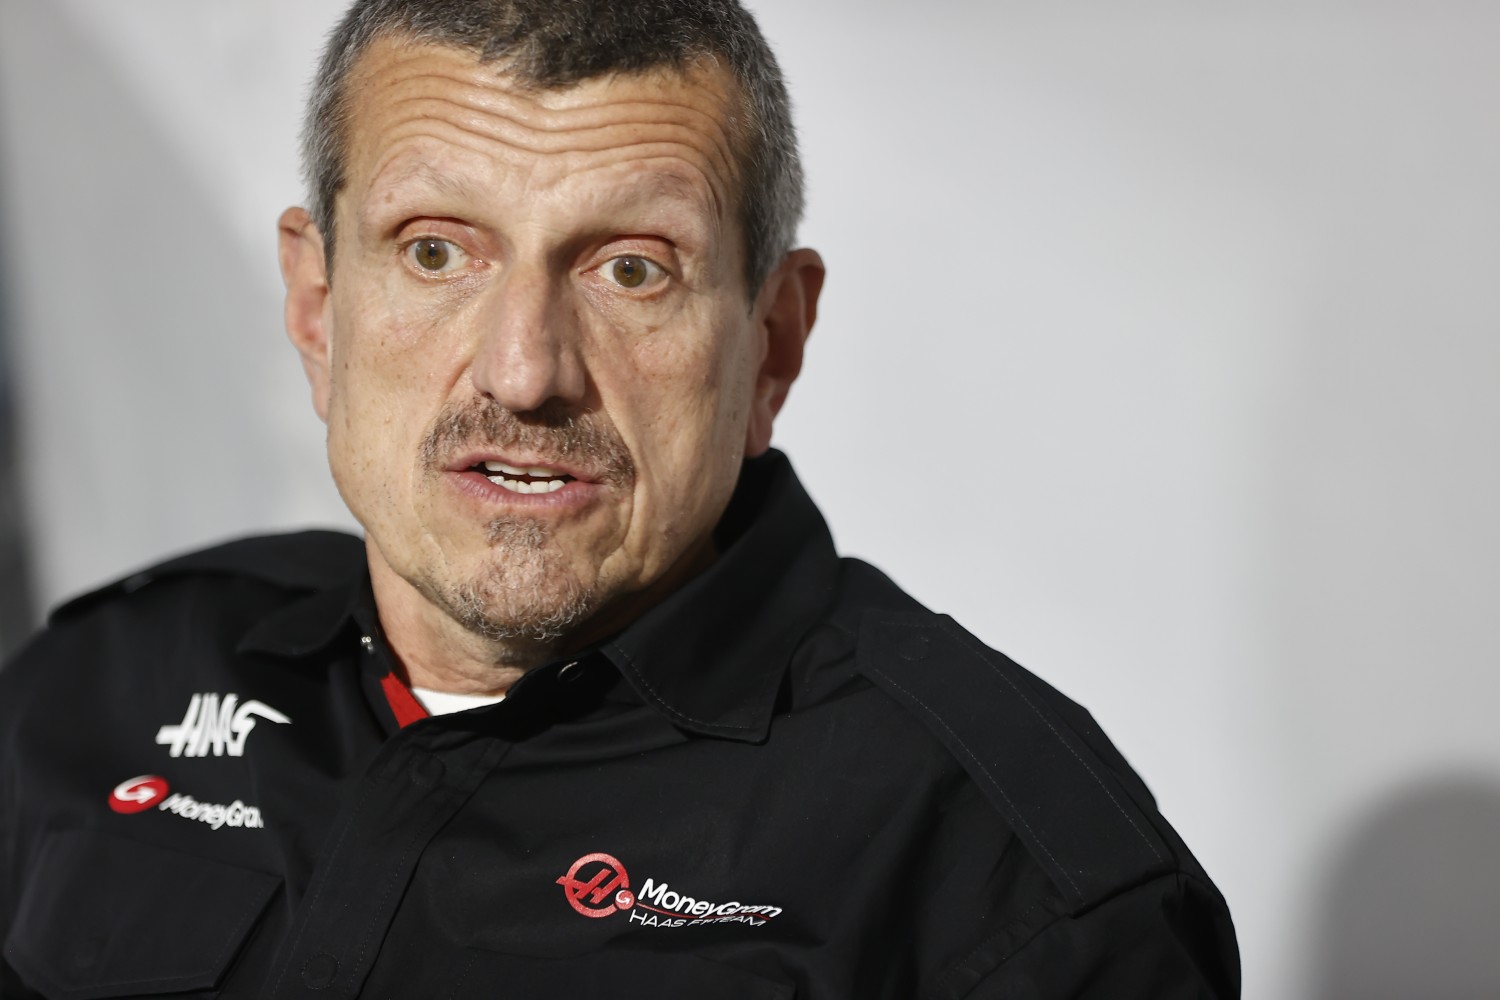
(538, 361)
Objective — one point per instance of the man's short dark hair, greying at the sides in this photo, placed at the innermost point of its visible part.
(553, 44)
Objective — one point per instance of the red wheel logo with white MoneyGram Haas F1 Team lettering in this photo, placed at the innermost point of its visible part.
(598, 885)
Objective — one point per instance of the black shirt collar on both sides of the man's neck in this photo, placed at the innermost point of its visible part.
(712, 656)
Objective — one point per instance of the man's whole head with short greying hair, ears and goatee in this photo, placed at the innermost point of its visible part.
(560, 311)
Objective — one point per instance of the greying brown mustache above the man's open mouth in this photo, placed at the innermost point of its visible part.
(581, 439)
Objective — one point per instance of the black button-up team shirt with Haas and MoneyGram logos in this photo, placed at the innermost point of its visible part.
(755, 791)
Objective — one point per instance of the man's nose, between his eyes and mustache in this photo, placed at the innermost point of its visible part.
(529, 343)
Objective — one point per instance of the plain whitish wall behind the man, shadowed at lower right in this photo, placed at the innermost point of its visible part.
(1160, 347)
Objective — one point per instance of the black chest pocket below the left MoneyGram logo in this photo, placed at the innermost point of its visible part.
(104, 917)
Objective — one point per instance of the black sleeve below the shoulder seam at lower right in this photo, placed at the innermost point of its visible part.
(1169, 939)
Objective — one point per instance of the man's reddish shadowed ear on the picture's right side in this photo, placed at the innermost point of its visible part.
(785, 313)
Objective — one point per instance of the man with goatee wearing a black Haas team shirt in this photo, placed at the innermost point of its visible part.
(595, 710)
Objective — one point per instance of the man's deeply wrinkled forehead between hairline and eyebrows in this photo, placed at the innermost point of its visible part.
(418, 107)
